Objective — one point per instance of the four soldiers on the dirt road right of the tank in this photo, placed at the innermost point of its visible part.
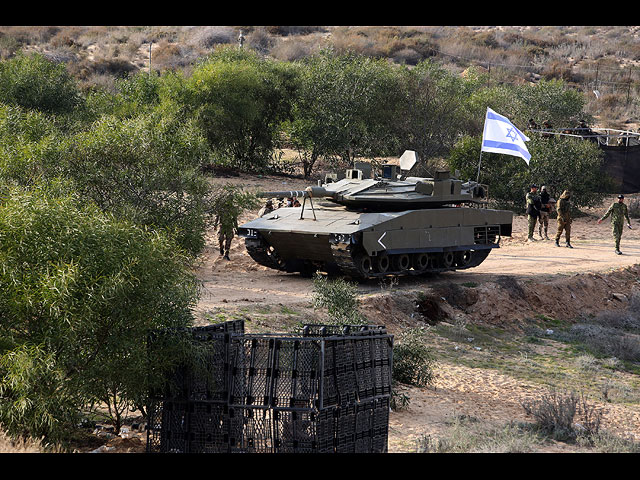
(539, 207)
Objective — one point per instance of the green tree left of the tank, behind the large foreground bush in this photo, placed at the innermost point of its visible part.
(147, 168)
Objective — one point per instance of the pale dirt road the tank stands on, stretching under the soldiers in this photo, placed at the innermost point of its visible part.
(241, 282)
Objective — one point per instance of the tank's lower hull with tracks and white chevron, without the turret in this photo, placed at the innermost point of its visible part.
(375, 244)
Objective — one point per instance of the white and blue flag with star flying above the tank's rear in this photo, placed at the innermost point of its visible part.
(502, 136)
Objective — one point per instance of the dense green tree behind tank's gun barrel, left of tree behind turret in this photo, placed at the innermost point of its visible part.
(240, 101)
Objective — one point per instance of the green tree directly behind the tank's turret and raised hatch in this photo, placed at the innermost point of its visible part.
(345, 108)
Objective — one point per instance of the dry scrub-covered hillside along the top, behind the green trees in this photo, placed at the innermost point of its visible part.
(593, 59)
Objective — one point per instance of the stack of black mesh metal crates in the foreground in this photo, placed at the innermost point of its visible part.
(325, 389)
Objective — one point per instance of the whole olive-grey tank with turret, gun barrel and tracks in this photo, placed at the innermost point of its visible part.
(368, 226)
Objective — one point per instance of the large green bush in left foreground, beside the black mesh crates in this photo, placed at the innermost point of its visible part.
(80, 291)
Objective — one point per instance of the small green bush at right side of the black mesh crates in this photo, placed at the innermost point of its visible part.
(413, 363)
